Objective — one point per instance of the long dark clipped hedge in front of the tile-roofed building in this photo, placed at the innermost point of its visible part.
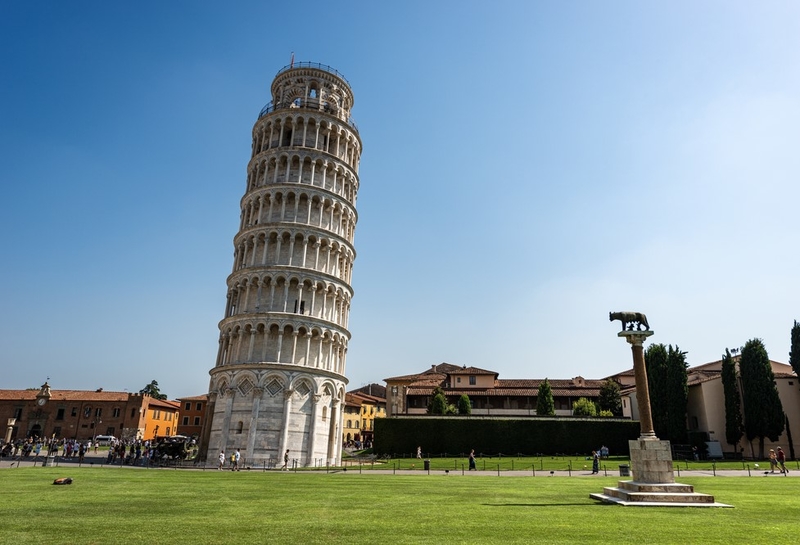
(563, 435)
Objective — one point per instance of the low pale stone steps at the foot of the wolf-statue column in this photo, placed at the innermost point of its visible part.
(631, 493)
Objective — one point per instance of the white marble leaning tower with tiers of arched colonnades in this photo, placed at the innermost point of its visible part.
(279, 379)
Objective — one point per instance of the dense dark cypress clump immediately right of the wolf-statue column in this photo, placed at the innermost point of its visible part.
(669, 391)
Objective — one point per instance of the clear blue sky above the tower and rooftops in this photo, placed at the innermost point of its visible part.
(527, 168)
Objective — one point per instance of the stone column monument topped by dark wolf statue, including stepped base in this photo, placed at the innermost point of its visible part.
(653, 481)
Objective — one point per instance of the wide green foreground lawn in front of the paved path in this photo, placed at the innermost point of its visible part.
(109, 505)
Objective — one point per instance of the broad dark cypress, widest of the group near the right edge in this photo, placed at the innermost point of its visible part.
(763, 412)
